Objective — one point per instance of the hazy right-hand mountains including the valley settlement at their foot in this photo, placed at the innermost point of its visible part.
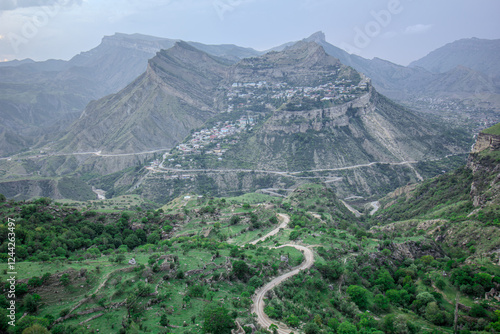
(472, 92)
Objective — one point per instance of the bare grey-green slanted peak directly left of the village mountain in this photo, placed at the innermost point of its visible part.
(156, 110)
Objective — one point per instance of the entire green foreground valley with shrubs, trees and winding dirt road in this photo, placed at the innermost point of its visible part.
(424, 263)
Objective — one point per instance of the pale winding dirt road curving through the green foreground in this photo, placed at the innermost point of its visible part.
(258, 299)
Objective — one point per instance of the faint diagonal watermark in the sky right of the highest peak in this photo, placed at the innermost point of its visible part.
(363, 36)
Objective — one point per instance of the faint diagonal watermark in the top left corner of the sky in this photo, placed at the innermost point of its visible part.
(38, 20)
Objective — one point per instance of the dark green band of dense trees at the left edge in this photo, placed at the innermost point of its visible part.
(45, 231)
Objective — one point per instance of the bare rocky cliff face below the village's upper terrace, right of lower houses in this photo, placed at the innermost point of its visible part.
(370, 128)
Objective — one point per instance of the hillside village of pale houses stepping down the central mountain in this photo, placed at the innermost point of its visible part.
(251, 99)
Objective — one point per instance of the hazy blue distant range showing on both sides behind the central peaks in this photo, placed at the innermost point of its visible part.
(40, 99)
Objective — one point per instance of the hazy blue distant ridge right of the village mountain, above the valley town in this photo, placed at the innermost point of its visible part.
(424, 79)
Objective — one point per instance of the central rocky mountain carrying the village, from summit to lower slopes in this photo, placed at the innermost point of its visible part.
(296, 115)
